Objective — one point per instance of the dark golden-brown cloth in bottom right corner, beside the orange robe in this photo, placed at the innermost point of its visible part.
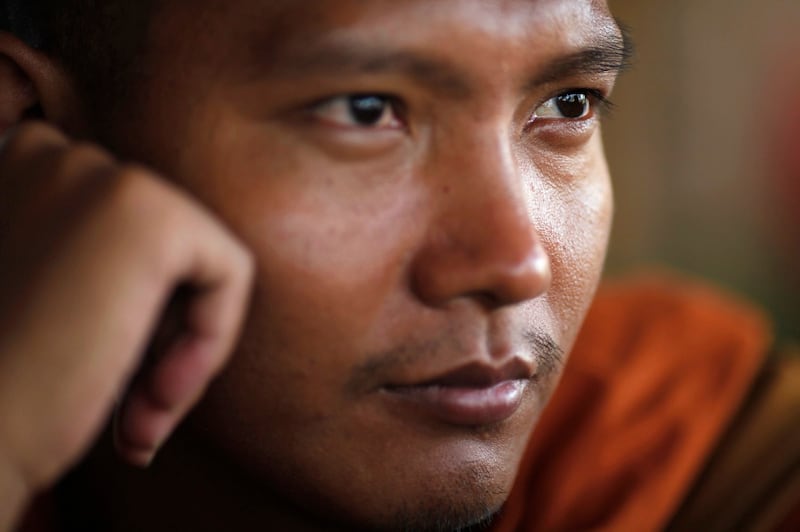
(752, 479)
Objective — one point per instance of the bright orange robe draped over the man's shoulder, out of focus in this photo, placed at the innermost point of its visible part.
(657, 374)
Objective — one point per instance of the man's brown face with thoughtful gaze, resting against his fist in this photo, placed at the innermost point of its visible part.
(423, 186)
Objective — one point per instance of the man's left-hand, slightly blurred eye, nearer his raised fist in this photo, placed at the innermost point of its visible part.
(360, 111)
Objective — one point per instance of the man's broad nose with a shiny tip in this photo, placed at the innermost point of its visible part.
(481, 242)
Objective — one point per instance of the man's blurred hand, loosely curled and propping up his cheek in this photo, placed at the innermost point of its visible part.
(91, 252)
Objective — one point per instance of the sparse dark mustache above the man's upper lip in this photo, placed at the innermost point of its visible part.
(548, 356)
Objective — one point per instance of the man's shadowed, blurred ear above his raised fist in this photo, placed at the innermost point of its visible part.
(34, 85)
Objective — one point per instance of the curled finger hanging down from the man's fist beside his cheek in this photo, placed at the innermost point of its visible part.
(172, 383)
